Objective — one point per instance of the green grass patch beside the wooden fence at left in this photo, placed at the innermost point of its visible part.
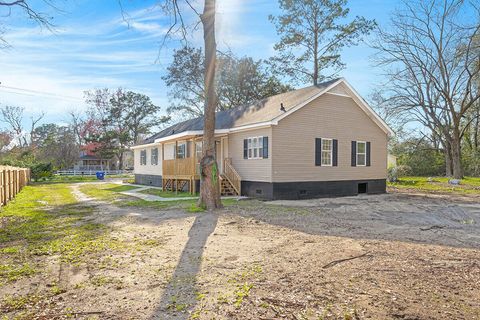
(45, 219)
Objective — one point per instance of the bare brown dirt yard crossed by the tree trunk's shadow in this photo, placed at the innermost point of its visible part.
(394, 256)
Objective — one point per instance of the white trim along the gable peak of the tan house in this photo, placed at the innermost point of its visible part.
(356, 97)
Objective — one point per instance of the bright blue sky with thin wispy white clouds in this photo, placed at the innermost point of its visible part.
(92, 45)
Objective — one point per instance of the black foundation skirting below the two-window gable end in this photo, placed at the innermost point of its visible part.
(311, 189)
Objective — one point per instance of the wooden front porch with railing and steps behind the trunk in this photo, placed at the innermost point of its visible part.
(183, 171)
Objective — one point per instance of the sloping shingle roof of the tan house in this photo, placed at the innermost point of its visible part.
(261, 111)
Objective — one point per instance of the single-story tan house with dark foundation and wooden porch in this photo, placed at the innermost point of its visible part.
(322, 140)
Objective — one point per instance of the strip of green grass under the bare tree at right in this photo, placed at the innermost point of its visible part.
(468, 185)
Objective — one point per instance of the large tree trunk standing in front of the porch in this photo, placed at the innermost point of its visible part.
(210, 182)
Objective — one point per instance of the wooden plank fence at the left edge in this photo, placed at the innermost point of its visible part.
(12, 180)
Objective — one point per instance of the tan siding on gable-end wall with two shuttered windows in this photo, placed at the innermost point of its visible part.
(329, 116)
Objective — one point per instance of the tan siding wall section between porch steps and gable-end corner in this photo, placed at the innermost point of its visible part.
(251, 169)
